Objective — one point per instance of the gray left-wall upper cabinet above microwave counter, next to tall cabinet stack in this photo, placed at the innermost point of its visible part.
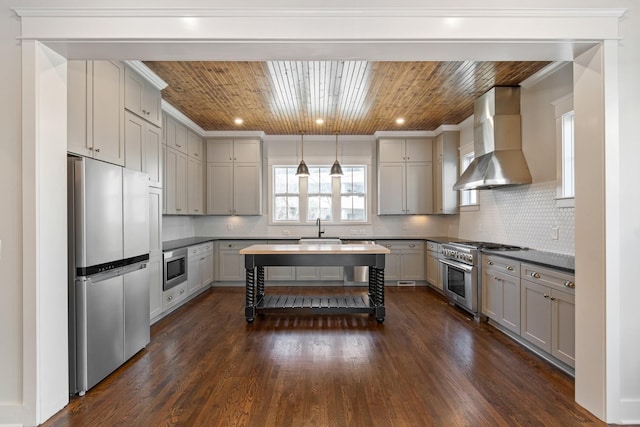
(175, 184)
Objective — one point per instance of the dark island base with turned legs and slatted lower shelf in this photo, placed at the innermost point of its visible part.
(257, 302)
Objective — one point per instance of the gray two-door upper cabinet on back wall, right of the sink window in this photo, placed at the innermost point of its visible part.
(405, 176)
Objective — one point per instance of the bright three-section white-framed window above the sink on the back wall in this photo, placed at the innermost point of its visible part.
(302, 200)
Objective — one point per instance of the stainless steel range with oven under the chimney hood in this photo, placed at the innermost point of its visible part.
(461, 272)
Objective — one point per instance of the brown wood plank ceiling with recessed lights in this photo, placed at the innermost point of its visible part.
(352, 97)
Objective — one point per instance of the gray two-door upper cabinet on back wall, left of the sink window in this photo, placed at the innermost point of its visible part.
(234, 177)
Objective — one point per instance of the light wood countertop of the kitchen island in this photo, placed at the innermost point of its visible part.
(314, 249)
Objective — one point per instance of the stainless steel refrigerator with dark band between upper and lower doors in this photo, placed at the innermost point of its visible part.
(108, 279)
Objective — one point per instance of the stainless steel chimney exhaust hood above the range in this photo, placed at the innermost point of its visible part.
(499, 160)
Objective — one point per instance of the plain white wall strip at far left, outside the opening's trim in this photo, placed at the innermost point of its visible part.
(10, 221)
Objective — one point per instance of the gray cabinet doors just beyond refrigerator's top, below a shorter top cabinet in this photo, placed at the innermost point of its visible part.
(143, 148)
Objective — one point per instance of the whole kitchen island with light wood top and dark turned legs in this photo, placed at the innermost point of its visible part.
(259, 256)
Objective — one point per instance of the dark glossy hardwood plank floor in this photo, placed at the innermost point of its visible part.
(428, 364)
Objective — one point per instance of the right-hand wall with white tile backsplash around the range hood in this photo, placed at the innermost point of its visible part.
(525, 215)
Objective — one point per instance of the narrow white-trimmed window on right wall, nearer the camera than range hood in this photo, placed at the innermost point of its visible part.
(565, 144)
